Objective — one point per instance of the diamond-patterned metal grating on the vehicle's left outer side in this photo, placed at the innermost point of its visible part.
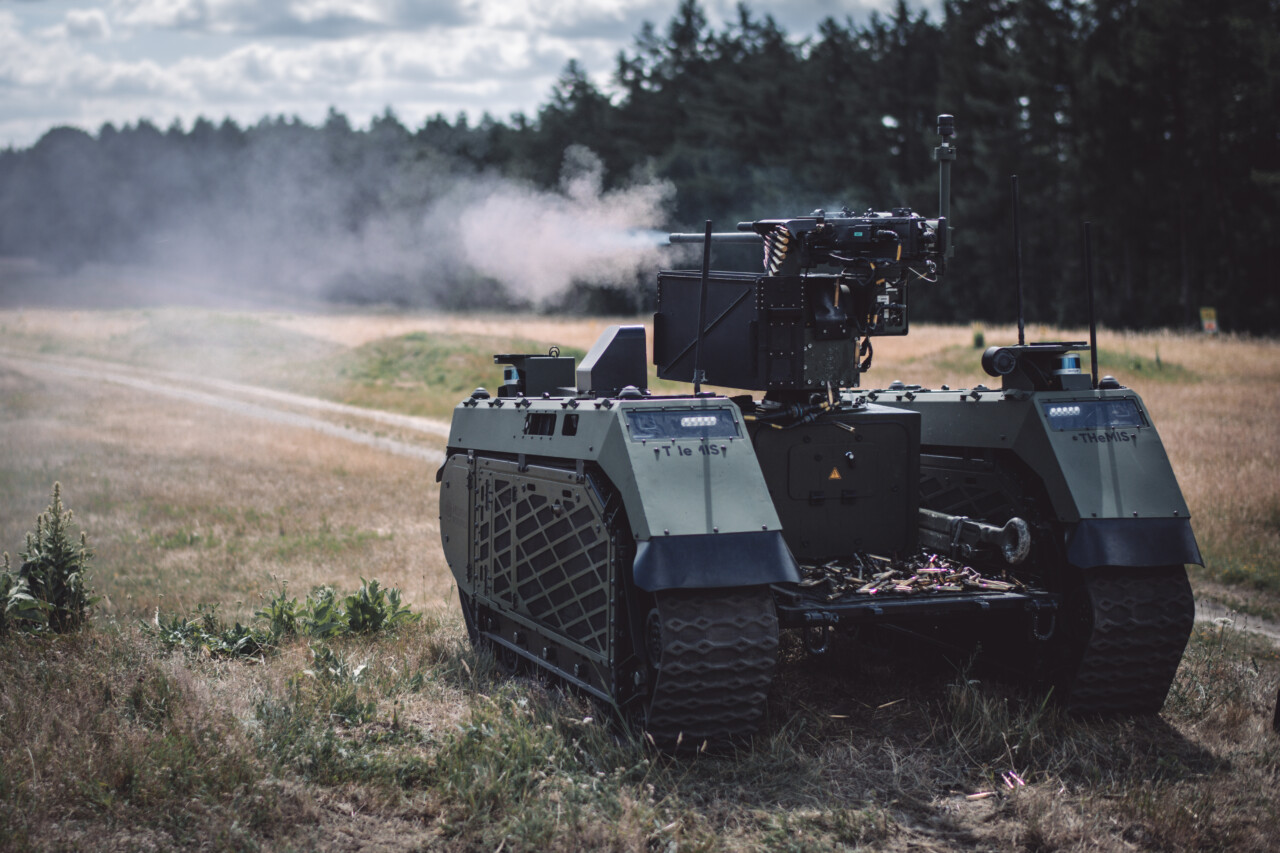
(545, 554)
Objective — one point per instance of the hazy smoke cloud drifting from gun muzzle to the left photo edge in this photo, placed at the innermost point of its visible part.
(289, 220)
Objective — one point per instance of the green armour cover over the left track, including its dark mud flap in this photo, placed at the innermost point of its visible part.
(674, 482)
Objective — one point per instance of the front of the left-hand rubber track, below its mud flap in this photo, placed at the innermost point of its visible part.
(719, 654)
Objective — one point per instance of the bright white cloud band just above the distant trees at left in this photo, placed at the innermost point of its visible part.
(52, 79)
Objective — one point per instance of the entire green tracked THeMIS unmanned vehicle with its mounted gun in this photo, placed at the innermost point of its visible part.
(648, 550)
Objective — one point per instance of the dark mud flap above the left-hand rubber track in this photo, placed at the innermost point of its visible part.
(715, 560)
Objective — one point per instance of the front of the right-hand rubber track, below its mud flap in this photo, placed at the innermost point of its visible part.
(1142, 619)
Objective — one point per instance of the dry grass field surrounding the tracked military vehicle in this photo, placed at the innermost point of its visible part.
(410, 740)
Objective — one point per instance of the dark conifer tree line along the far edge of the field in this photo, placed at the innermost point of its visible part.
(1154, 120)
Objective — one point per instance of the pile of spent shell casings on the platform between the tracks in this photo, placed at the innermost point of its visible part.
(922, 574)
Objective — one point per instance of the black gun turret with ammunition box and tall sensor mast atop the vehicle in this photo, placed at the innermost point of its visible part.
(804, 323)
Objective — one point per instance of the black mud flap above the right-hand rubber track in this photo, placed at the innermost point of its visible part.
(1133, 542)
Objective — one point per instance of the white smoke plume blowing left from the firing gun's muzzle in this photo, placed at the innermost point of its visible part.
(284, 229)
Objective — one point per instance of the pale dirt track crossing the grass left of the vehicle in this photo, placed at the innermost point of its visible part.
(275, 407)
